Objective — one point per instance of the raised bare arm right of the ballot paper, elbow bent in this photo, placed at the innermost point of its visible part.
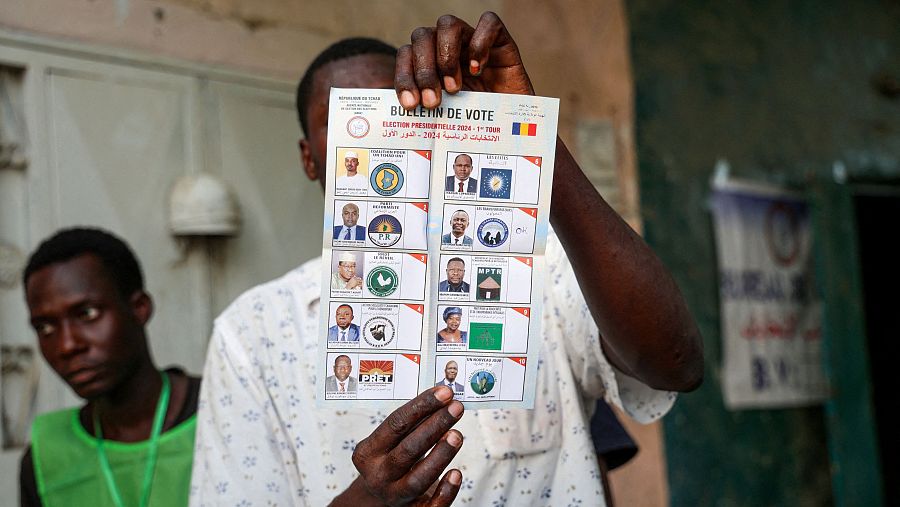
(645, 326)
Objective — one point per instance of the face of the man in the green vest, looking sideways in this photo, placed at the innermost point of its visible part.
(88, 333)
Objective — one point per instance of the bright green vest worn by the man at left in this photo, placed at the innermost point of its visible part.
(68, 473)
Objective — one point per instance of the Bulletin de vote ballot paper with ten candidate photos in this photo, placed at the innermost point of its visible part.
(433, 248)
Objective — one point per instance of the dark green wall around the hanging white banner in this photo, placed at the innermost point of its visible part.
(782, 90)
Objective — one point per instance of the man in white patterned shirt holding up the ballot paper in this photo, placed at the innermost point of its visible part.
(613, 325)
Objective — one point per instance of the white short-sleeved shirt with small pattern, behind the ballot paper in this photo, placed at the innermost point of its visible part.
(262, 441)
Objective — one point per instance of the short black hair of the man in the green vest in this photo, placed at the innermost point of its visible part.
(116, 257)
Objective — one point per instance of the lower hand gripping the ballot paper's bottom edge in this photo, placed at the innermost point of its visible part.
(392, 461)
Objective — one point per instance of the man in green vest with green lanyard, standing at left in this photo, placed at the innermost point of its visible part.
(132, 442)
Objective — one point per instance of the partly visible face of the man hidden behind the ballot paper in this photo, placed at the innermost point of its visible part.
(361, 71)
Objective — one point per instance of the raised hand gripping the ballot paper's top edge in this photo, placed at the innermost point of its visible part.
(484, 58)
